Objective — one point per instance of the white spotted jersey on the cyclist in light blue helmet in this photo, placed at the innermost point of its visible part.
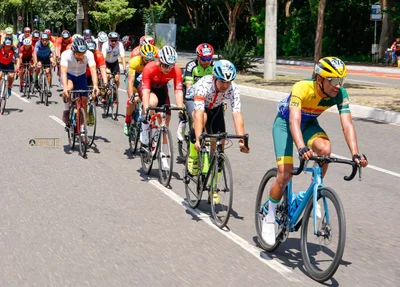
(205, 95)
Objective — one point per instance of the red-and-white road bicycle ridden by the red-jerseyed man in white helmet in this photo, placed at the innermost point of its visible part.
(158, 129)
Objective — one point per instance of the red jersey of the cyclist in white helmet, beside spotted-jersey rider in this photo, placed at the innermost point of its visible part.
(153, 77)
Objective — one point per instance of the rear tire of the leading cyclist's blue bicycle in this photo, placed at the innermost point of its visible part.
(268, 177)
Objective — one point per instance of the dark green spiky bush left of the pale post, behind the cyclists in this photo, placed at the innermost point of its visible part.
(238, 54)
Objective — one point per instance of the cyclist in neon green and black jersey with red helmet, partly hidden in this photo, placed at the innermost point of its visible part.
(195, 70)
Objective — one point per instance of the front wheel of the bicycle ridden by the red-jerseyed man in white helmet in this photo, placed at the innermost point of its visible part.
(165, 157)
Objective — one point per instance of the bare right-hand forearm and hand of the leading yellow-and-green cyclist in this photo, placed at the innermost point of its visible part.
(350, 136)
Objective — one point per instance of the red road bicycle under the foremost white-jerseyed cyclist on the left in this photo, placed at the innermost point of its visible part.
(77, 127)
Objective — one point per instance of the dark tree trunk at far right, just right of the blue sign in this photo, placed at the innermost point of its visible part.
(388, 31)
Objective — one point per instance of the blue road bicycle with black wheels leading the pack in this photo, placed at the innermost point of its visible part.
(318, 211)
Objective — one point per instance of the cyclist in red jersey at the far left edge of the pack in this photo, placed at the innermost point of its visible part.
(8, 54)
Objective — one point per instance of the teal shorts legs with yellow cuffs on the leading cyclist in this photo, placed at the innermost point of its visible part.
(283, 141)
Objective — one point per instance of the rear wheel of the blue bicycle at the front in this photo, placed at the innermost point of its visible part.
(261, 209)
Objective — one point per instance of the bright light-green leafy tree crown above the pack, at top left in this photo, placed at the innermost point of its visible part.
(115, 12)
